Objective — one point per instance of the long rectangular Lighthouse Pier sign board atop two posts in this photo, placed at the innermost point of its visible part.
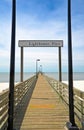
(40, 43)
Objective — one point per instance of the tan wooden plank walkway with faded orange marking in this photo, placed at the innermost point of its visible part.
(45, 111)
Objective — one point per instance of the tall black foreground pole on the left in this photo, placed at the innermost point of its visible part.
(12, 69)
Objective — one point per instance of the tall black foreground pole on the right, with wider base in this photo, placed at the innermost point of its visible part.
(70, 69)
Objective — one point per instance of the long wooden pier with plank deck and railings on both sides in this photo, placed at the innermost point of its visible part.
(41, 104)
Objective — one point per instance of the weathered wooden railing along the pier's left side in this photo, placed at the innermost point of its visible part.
(20, 91)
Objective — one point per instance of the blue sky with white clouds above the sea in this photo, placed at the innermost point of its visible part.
(42, 20)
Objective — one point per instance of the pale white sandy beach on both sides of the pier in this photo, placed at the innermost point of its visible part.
(79, 84)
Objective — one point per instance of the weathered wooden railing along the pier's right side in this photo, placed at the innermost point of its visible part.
(62, 90)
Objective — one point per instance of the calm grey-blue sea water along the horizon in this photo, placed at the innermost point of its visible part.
(4, 77)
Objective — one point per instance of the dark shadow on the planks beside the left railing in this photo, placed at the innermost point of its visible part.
(20, 111)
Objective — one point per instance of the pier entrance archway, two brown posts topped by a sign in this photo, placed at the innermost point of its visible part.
(41, 43)
